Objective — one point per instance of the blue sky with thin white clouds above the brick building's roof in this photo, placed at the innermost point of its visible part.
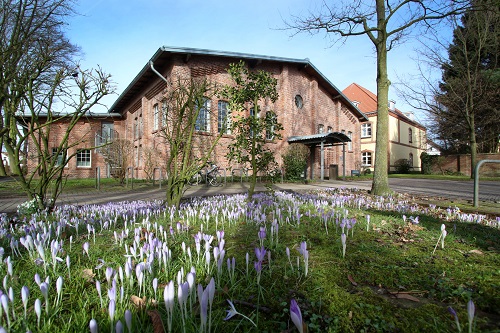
(122, 35)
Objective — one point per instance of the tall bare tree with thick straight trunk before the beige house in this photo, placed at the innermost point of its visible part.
(386, 23)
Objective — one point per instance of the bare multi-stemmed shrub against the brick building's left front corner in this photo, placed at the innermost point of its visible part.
(186, 132)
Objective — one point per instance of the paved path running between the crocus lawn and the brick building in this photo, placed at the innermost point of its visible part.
(488, 191)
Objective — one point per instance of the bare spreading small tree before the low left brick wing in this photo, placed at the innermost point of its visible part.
(46, 121)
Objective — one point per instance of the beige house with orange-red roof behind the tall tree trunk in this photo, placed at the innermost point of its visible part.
(407, 138)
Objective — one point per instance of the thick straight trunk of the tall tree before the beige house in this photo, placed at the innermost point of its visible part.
(380, 185)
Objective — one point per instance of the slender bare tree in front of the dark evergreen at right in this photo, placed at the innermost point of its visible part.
(463, 104)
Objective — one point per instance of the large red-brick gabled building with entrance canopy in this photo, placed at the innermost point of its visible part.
(310, 108)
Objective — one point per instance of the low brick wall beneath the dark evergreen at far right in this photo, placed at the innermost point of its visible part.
(461, 164)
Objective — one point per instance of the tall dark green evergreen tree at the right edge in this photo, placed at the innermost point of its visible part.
(470, 89)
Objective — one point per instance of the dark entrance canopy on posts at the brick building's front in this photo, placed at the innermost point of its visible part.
(322, 140)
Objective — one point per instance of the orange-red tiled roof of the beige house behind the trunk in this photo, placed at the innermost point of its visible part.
(366, 101)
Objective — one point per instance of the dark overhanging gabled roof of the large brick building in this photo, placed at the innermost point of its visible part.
(161, 57)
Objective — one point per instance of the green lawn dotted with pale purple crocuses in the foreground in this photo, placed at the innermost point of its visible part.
(159, 268)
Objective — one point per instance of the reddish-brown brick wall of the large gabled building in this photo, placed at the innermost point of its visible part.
(319, 107)
